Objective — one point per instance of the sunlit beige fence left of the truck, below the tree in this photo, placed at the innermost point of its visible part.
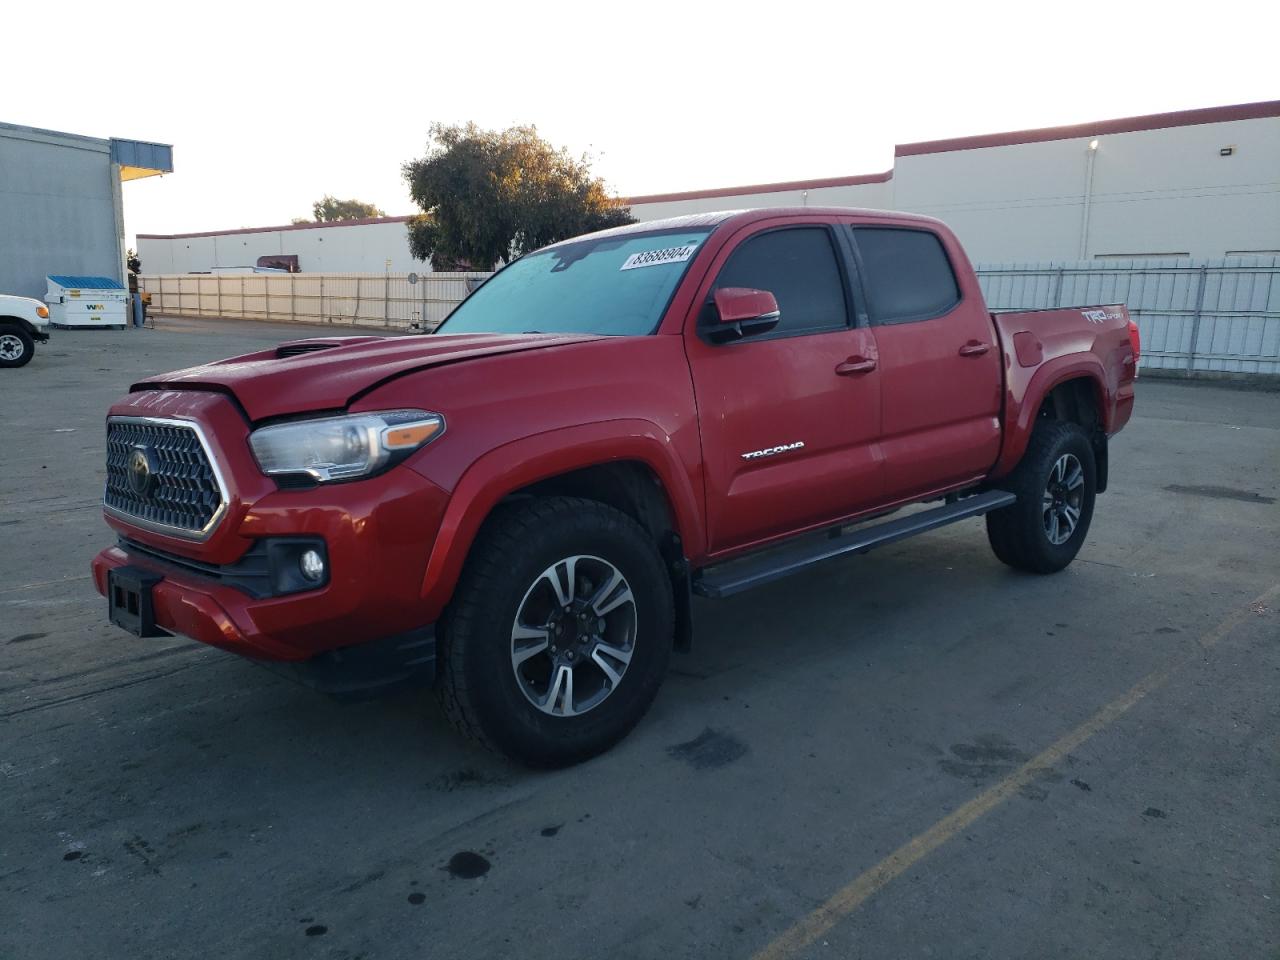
(359, 300)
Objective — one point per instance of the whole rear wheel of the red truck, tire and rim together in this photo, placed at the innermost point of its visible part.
(1055, 484)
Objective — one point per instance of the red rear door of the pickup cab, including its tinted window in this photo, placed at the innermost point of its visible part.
(939, 358)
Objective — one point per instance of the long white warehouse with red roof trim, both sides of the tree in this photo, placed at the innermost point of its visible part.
(1195, 184)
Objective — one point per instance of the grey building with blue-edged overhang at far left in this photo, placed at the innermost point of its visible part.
(61, 204)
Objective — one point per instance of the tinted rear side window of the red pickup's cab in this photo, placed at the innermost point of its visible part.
(907, 275)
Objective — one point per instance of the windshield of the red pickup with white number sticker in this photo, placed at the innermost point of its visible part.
(614, 286)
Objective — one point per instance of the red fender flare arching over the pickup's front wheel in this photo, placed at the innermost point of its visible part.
(540, 458)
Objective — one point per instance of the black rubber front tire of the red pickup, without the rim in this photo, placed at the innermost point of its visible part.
(478, 688)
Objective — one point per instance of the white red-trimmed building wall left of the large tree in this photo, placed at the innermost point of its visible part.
(331, 249)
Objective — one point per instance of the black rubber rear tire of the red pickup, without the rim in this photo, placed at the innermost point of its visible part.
(1018, 534)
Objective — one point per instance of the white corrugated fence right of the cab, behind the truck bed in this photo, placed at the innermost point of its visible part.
(1196, 317)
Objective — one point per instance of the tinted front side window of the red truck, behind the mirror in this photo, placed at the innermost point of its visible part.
(798, 266)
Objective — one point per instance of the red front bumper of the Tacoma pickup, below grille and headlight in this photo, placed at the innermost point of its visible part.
(378, 534)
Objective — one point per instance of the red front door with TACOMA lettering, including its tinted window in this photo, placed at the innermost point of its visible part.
(789, 419)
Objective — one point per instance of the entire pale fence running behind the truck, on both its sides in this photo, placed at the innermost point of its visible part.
(1196, 317)
